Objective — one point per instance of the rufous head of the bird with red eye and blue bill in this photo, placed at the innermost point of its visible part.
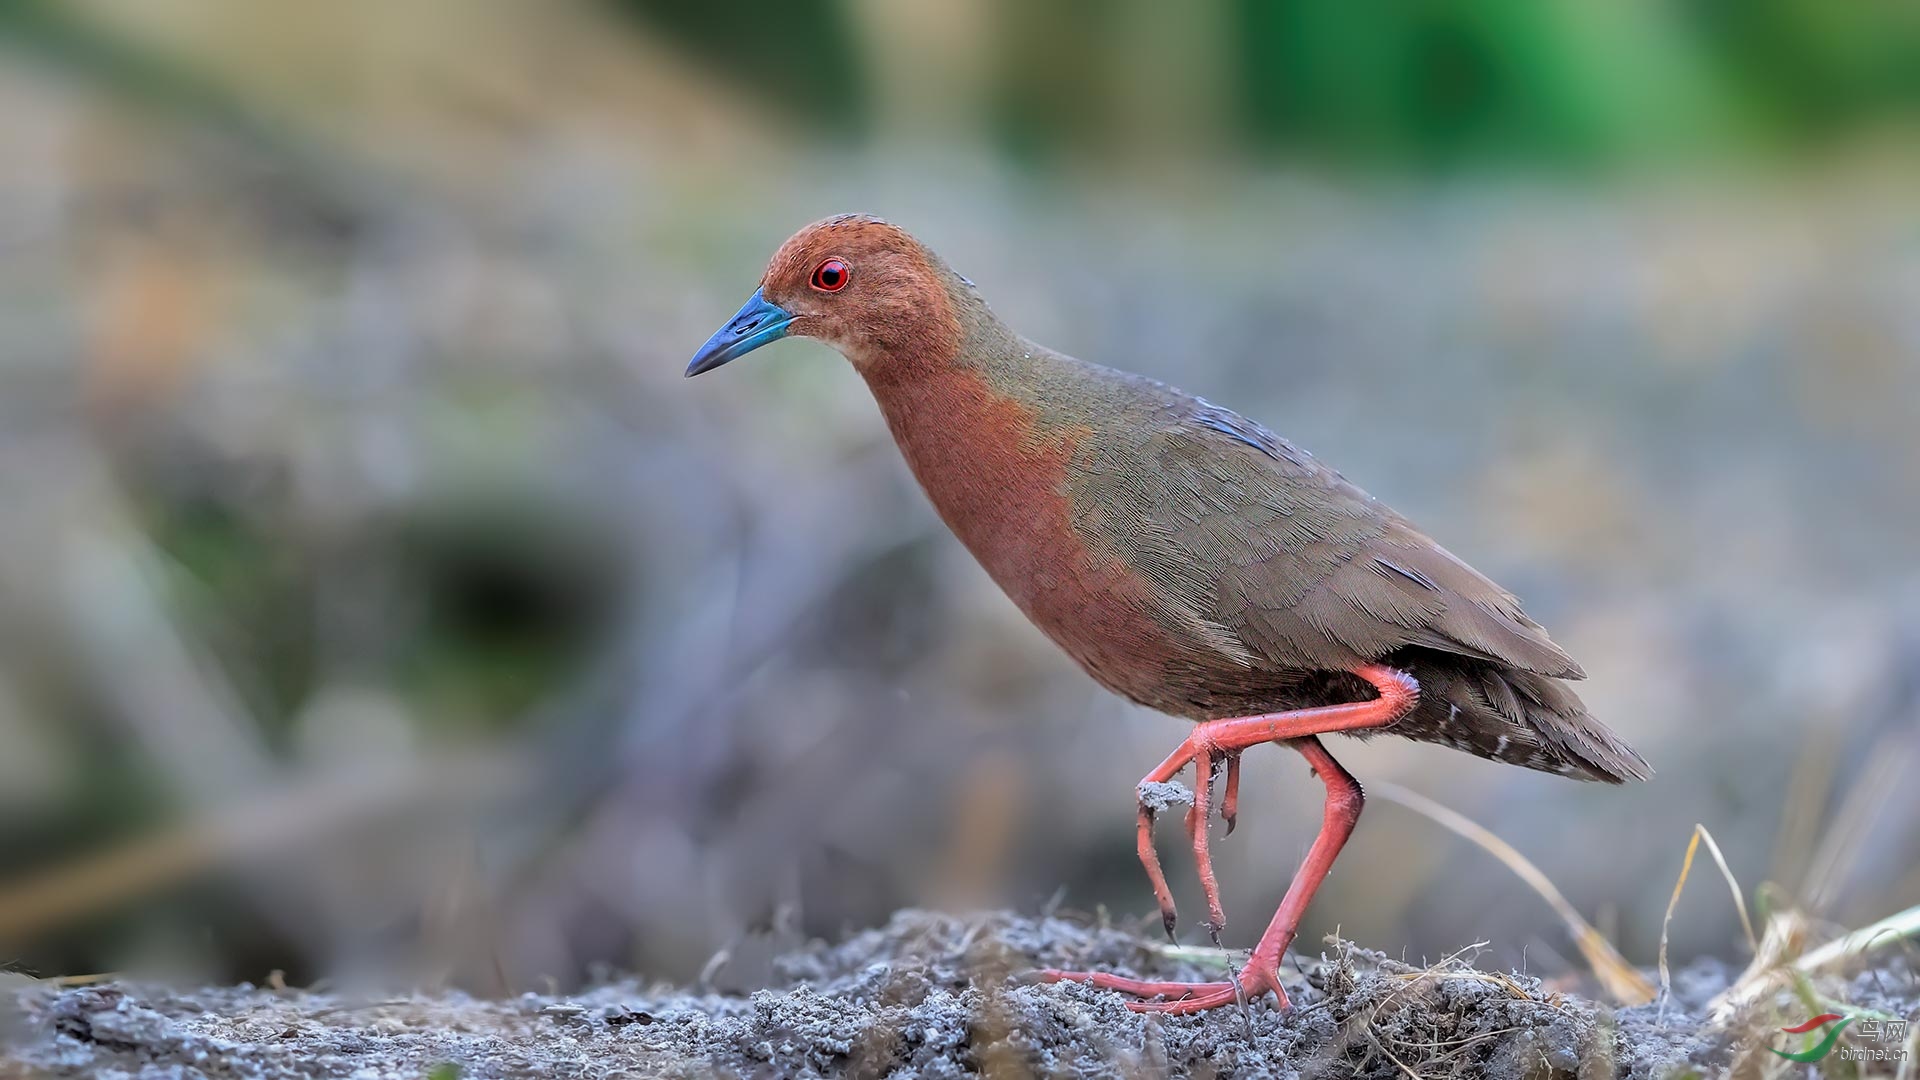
(855, 283)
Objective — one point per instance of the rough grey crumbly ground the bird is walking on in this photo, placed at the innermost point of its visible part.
(923, 996)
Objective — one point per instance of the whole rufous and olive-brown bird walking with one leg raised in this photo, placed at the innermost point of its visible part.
(1188, 558)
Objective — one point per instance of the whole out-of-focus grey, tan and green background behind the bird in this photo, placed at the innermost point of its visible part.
(375, 597)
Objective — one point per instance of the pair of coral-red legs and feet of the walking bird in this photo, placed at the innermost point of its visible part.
(1399, 695)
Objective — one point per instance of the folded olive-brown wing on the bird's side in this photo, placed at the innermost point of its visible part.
(1305, 568)
